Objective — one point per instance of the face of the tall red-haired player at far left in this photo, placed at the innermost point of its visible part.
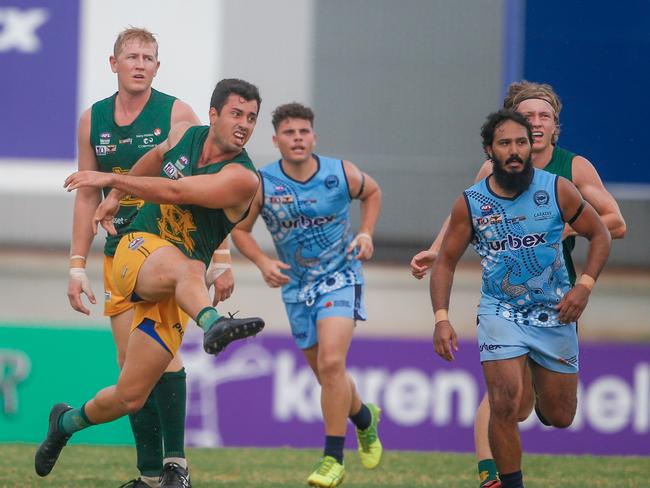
(136, 66)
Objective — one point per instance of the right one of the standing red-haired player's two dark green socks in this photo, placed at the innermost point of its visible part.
(170, 394)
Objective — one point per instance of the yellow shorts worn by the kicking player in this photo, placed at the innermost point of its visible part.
(164, 321)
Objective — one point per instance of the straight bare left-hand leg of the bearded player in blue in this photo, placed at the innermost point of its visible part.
(505, 382)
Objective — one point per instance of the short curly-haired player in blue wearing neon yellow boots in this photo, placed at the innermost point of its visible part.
(304, 200)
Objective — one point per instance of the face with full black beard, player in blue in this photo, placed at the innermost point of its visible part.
(510, 153)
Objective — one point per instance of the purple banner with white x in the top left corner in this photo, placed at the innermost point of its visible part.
(39, 51)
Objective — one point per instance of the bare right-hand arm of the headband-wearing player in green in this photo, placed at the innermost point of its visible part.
(589, 184)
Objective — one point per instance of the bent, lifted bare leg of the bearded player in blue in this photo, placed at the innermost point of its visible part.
(557, 395)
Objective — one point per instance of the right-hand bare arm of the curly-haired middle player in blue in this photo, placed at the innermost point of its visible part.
(366, 189)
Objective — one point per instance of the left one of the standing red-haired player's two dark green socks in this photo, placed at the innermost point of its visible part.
(145, 425)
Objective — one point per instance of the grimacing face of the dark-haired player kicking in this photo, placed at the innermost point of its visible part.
(234, 126)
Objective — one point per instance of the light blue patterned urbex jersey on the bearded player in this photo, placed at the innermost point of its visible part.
(519, 241)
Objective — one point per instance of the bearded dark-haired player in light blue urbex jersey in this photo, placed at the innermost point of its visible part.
(528, 311)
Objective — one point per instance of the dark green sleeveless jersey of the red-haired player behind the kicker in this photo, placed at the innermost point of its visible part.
(117, 148)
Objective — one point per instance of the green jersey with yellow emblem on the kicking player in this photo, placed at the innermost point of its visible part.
(197, 231)
